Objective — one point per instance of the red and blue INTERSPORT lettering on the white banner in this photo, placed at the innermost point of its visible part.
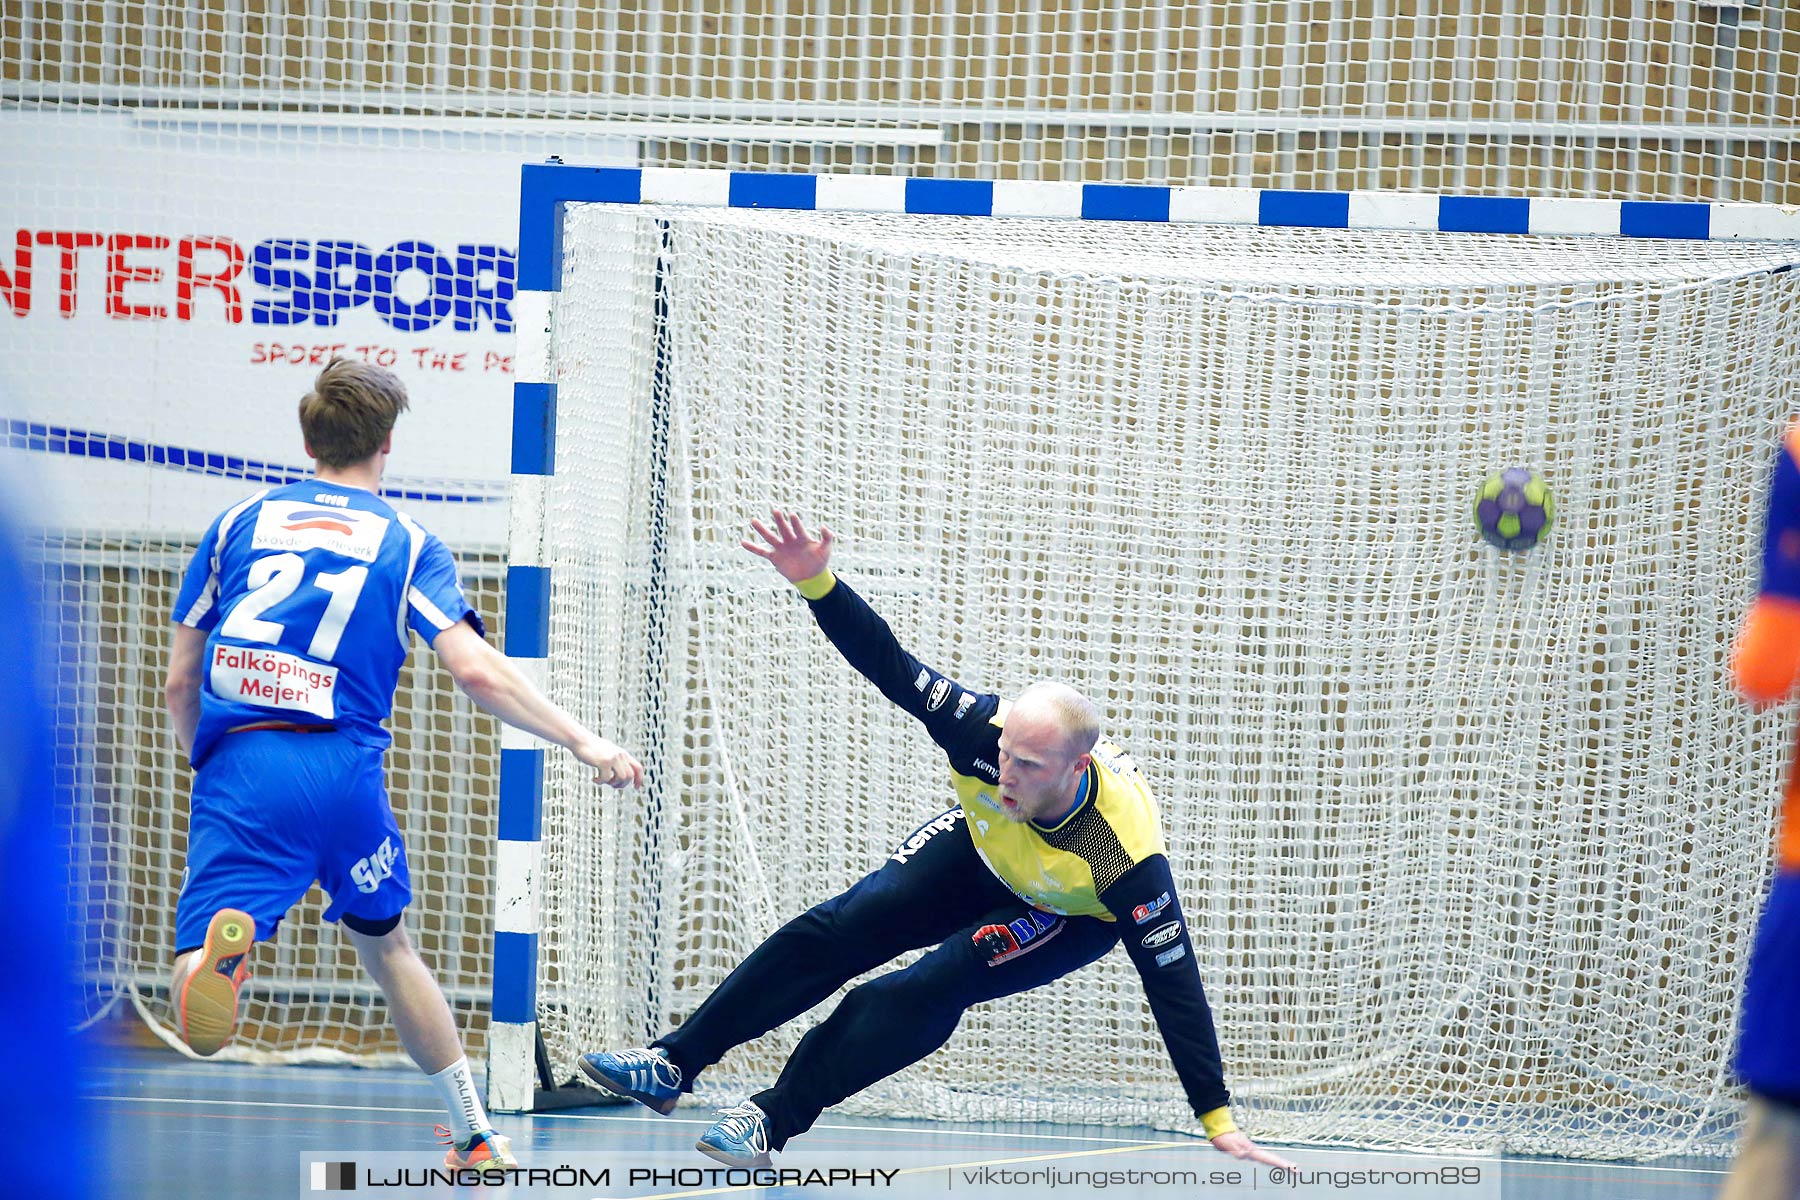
(413, 285)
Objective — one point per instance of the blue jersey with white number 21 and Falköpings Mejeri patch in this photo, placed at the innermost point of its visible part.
(307, 595)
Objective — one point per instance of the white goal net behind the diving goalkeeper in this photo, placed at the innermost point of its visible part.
(1473, 843)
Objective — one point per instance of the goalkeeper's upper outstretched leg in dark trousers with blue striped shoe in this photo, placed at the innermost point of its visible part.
(917, 899)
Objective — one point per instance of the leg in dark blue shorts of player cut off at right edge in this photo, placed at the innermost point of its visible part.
(1768, 1053)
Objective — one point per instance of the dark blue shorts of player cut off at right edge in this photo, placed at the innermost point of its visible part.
(1768, 1050)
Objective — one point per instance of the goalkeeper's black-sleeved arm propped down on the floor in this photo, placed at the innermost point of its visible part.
(1156, 938)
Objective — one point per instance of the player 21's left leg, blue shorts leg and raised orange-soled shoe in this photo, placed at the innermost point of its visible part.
(249, 861)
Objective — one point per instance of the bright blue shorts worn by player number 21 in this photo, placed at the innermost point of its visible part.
(276, 810)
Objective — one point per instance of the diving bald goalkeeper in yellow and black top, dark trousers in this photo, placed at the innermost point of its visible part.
(1052, 857)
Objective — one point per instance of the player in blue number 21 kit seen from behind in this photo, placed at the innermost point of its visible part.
(292, 623)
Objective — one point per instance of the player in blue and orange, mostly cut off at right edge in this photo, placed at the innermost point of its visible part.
(1767, 665)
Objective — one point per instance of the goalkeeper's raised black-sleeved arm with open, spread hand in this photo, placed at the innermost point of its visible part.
(863, 638)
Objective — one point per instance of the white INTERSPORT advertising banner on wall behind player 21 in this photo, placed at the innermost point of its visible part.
(174, 283)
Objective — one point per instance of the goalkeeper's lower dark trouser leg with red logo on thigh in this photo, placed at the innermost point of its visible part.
(899, 1019)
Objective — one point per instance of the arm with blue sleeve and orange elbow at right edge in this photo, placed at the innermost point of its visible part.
(1767, 658)
